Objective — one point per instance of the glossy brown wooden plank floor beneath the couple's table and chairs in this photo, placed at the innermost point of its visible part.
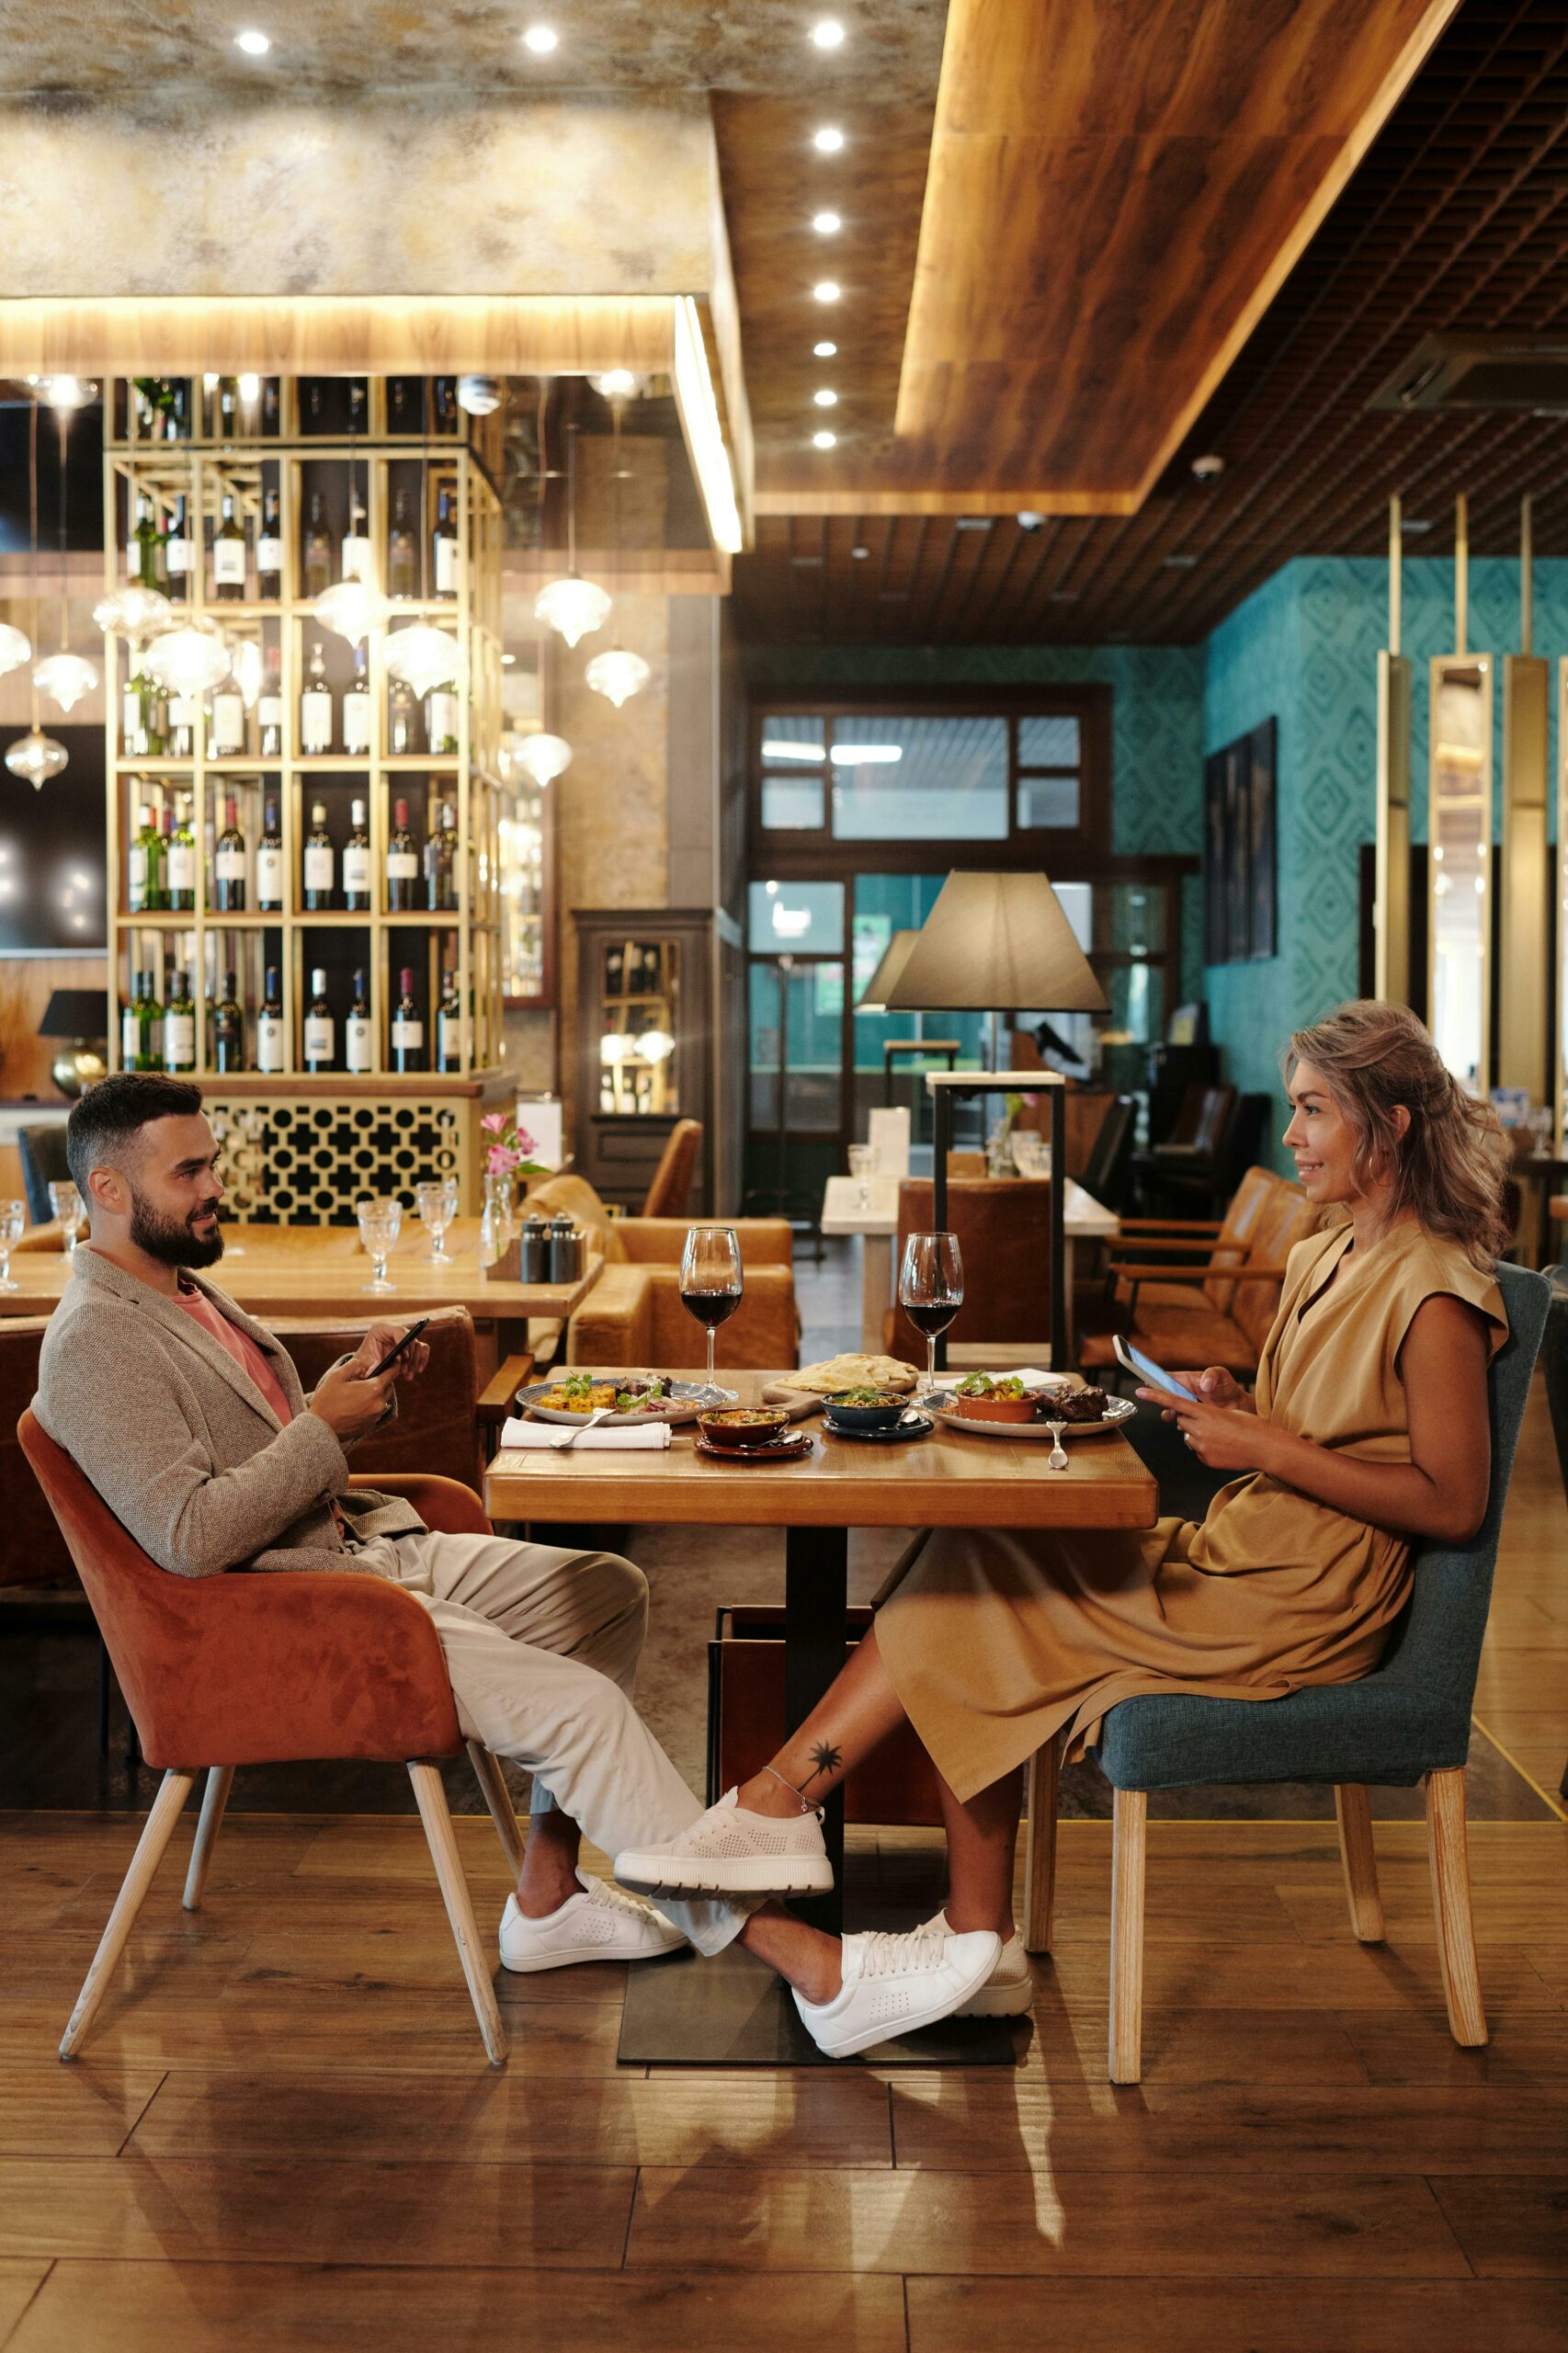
(284, 2133)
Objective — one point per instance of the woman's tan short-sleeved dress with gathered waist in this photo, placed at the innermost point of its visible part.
(997, 1639)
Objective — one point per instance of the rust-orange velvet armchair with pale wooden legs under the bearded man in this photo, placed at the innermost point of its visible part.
(237, 1669)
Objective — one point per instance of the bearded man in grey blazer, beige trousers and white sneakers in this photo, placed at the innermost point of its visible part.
(192, 1425)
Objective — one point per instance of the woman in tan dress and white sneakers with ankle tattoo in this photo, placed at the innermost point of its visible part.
(1369, 1427)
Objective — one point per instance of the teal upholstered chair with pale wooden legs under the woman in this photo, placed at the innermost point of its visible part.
(1404, 1724)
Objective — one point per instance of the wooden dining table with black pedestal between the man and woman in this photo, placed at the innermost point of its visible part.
(950, 1479)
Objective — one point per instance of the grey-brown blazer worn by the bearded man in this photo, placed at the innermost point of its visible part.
(180, 1441)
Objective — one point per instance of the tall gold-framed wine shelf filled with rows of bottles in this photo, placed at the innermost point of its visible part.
(244, 458)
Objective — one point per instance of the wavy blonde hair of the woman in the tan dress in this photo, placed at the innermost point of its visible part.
(1451, 1164)
